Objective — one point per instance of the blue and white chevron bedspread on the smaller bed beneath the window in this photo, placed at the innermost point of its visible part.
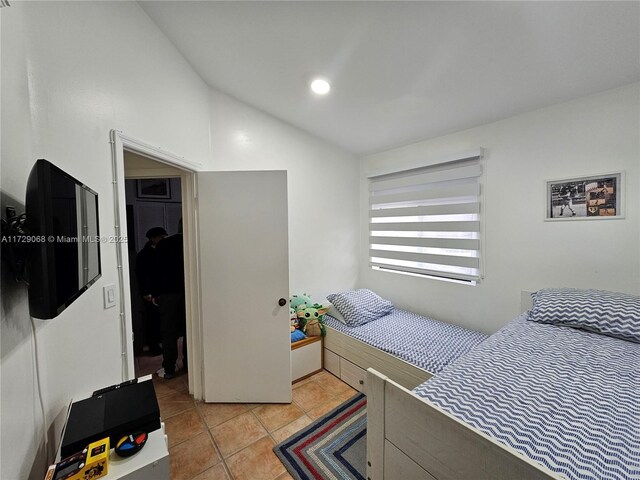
(421, 341)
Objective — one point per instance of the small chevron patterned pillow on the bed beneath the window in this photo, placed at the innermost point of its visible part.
(360, 306)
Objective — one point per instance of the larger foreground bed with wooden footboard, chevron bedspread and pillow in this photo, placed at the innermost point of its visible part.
(540, 399)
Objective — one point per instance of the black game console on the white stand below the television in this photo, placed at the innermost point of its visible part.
(114, 414)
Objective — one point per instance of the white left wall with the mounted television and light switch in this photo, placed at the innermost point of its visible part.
(70, 73)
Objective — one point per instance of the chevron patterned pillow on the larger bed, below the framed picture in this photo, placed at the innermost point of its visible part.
(599, 311)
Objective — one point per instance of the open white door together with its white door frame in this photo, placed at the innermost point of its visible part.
(247, 354)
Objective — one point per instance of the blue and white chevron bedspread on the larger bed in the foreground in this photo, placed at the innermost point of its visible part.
(567, 398)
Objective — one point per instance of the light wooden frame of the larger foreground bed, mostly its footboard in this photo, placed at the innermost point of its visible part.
(409, 437)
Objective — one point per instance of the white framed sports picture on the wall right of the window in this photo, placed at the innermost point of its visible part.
(585, 198)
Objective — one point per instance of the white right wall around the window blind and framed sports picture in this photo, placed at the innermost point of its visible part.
(591, 135)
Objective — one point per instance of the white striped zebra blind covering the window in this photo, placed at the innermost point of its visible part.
(426, 221)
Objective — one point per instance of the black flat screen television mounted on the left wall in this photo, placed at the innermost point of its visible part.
(62, 219)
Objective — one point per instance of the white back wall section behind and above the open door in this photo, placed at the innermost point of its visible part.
(323, 191)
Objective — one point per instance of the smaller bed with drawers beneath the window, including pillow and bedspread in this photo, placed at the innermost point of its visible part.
(405, 346)
